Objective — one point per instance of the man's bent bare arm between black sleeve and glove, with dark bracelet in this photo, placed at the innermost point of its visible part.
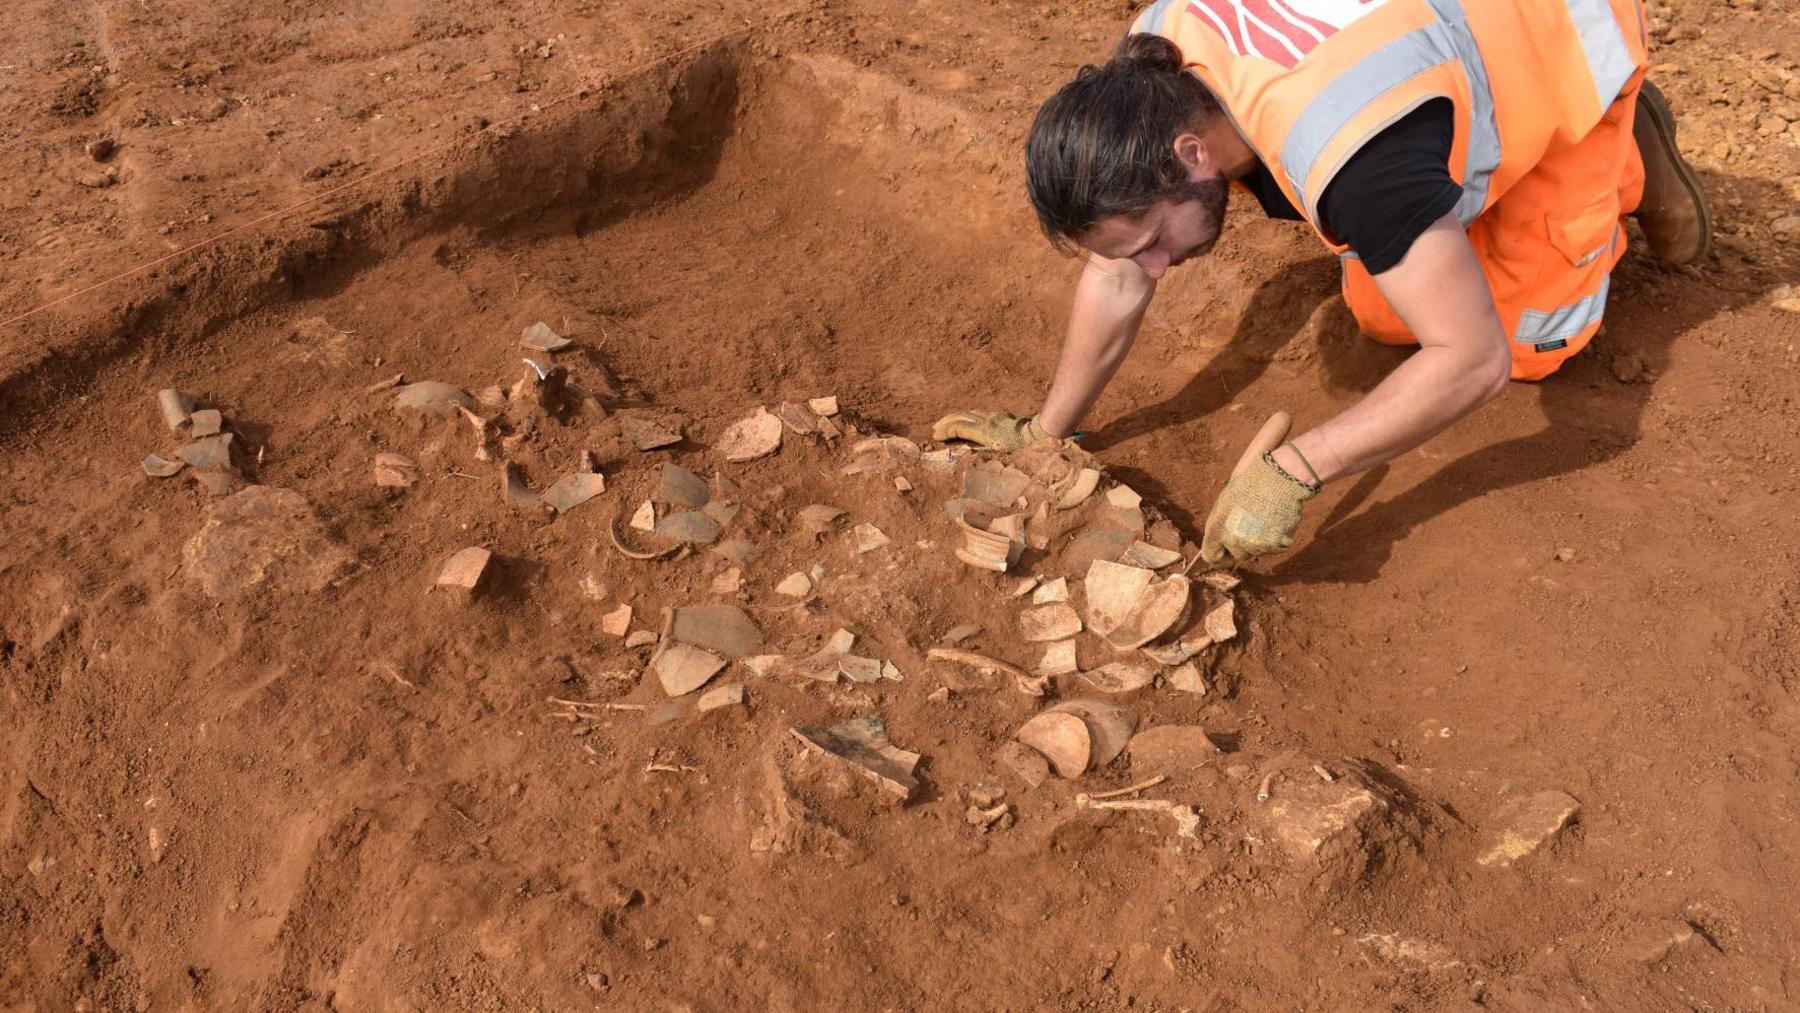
(1462, 363)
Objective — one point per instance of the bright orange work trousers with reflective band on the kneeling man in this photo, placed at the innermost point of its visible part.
(1547, 246)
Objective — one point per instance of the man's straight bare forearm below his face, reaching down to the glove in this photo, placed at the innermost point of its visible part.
(1110, 303)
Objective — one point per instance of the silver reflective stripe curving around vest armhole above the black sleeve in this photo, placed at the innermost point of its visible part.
(1383, 71)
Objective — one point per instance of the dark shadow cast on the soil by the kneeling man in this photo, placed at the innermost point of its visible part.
(1594, 406)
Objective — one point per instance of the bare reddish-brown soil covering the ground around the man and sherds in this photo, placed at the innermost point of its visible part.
(359, 798)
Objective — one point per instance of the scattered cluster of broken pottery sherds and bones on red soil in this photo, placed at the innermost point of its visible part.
(1104, 604)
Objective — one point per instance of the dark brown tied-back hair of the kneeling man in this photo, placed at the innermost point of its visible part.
(1104, 143)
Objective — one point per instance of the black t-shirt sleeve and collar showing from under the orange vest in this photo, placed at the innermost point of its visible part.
(1396, 186)
